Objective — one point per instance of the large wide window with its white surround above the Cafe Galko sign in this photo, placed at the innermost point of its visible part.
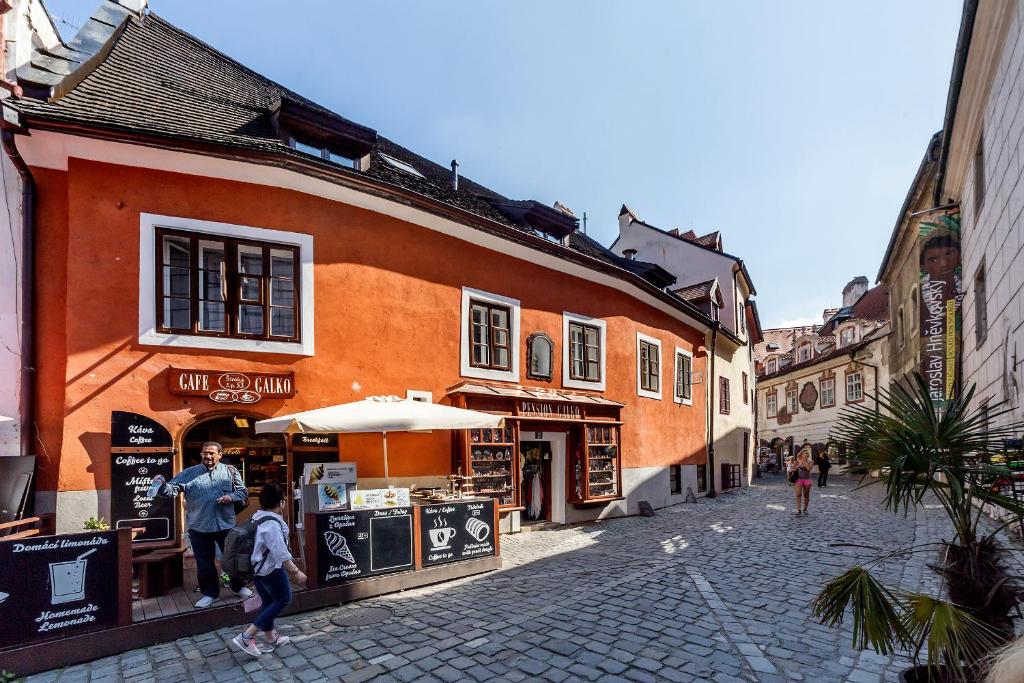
(215, 326)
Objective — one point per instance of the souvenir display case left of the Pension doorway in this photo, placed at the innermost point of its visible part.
(491, 463)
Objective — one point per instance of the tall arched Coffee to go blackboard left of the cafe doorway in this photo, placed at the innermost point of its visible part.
(141, 450)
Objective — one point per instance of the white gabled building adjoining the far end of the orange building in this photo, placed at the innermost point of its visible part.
(719, 284)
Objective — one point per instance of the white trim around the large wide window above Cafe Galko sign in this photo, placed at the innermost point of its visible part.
(148, 333)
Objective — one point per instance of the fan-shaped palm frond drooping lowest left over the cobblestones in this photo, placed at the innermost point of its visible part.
(876, 611)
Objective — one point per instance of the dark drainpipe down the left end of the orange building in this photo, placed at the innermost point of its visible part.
(28, 287)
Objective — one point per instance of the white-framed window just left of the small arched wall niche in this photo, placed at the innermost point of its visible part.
(490, 334)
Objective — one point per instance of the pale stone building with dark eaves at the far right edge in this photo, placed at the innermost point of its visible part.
(982, 168)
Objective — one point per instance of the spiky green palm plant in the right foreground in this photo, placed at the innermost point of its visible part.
(951, 454)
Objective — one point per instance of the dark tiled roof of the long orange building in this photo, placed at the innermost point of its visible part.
(160, 82)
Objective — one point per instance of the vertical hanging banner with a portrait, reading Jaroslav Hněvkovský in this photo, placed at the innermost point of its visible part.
(942, 295)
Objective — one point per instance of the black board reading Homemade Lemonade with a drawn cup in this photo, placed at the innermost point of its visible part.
(58, 586)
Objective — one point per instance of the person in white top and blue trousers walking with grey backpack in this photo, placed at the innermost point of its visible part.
(273, 564)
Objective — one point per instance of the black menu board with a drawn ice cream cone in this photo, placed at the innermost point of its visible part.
(363, 543)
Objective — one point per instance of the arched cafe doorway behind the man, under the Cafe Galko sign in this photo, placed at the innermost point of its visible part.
(261, 459)
